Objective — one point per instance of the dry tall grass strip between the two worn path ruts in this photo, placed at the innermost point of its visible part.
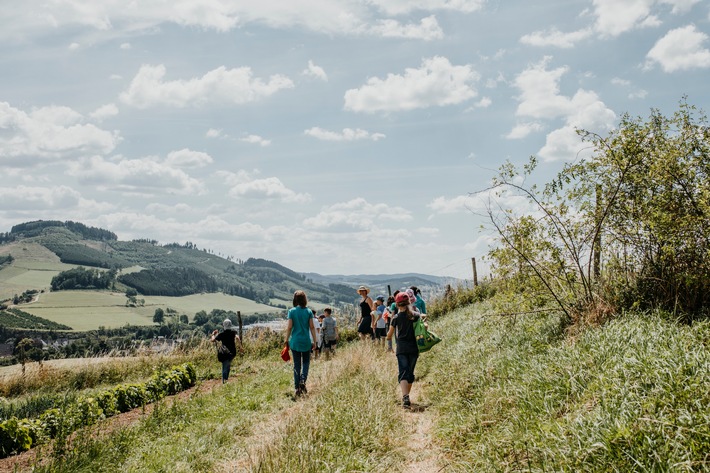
(352, 421)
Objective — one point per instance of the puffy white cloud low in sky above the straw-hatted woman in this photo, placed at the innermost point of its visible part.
(356, 214)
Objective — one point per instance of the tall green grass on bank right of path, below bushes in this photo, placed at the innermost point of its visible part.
(633, 395)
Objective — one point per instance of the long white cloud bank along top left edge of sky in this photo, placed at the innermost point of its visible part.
(121, 19)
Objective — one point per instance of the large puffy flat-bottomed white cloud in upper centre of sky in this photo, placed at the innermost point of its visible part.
(436, 83)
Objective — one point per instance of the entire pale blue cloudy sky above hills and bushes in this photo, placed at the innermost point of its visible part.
(330, 136)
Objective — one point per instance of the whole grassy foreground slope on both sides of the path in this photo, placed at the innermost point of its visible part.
(504, 395)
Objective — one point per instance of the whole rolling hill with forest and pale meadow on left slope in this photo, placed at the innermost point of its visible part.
(41, 250)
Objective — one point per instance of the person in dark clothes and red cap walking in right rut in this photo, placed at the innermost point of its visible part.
(402, 326)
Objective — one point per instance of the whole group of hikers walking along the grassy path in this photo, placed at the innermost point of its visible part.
(308, 334)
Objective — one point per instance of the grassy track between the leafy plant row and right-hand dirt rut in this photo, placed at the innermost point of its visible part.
(349, 421)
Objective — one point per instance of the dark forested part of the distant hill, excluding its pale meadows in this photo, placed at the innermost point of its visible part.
(172, 269)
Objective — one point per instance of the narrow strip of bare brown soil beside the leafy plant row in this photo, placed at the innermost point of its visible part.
(25, 460)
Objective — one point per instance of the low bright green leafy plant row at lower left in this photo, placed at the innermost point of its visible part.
(19, 435)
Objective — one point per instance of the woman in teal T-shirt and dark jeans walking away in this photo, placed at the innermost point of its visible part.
(300, 338)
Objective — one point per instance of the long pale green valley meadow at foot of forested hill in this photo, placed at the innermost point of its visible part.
(89, 310)
